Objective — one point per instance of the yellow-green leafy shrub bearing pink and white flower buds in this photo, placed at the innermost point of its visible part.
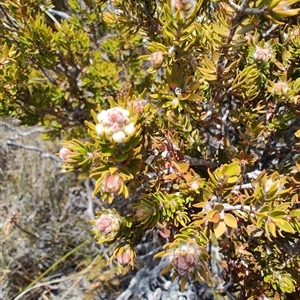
(201, 139)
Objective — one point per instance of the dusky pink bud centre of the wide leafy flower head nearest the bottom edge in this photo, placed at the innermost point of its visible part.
(185, 259)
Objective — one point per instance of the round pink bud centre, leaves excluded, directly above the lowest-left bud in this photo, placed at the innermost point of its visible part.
(108, 224)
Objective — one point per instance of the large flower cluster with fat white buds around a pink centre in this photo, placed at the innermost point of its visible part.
(115, 124)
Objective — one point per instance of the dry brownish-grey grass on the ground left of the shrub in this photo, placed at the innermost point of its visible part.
(47, 250)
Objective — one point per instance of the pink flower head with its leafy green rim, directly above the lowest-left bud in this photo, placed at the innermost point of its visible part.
(107, 224)
